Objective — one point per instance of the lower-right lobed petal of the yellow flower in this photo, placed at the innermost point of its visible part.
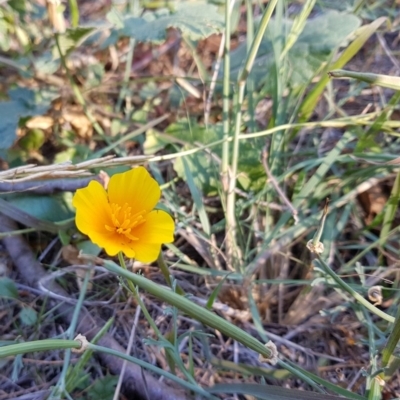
(158, 229)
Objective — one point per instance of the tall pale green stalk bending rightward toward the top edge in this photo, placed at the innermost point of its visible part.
(241, 84)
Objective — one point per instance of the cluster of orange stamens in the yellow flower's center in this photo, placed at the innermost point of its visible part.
(124, 221)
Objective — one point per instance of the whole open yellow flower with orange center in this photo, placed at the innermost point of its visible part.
(122, 218)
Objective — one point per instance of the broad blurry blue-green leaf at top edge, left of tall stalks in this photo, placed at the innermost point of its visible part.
(195, 21)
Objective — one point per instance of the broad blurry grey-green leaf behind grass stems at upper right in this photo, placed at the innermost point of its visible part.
(314, 46)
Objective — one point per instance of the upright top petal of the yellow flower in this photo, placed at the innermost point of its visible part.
(135, 187)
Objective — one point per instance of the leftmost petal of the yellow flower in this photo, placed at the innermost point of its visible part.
(92, 209)
